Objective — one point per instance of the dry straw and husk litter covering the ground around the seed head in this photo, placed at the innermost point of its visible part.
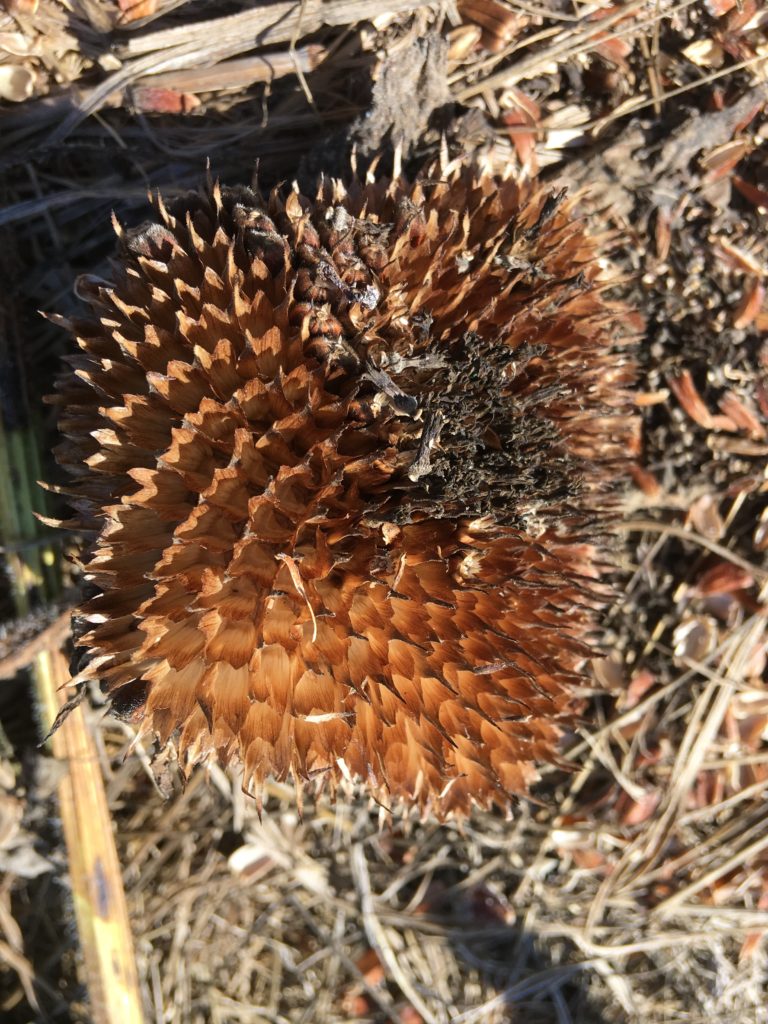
(635, 887)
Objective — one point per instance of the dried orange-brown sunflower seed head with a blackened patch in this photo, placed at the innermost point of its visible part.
(349, 464)
